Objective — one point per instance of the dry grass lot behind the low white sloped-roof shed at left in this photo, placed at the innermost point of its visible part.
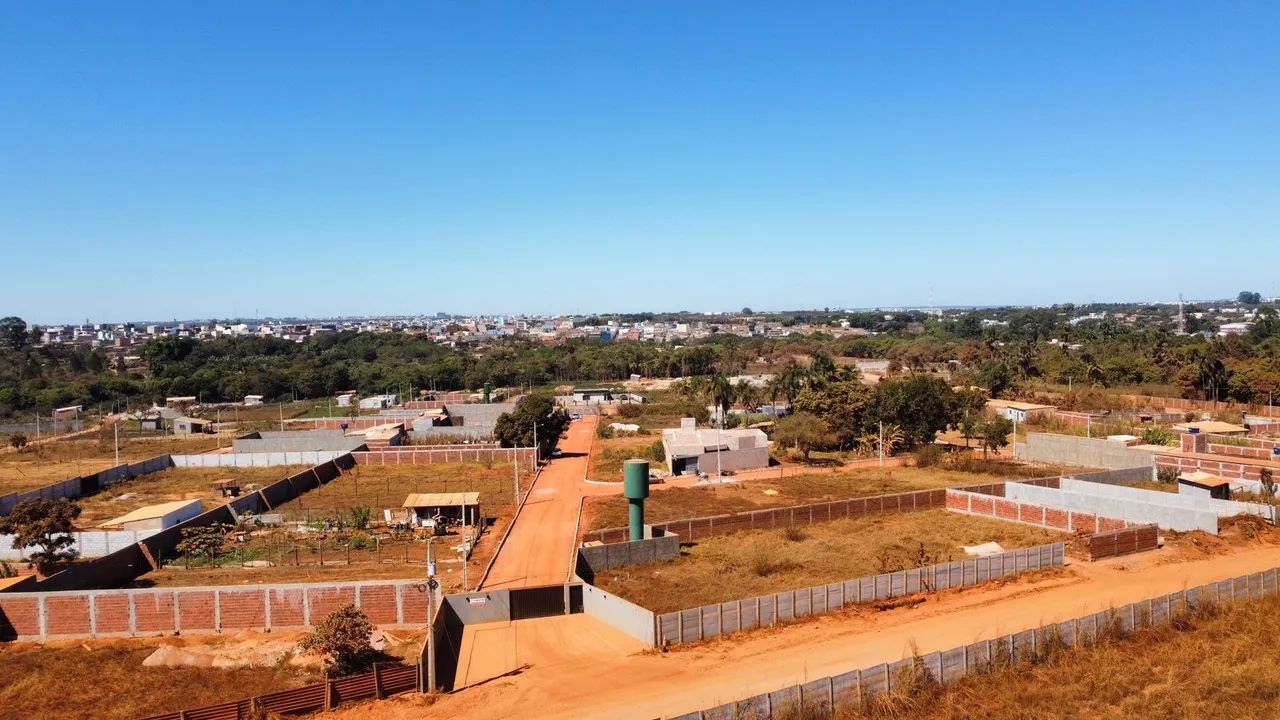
(176, 484)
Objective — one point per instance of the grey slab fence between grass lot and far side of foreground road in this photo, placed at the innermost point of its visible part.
(708, 622)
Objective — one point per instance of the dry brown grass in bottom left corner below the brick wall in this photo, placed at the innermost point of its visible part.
(108, 682)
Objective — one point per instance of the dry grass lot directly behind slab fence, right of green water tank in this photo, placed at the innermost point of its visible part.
(760, 563)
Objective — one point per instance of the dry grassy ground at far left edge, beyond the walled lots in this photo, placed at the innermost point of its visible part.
(48, 463)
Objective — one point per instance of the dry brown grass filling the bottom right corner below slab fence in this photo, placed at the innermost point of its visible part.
(1223, 663)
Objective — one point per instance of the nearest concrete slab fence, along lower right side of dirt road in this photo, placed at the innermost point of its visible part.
(854, 690)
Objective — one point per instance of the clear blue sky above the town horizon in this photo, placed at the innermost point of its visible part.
(204, 160)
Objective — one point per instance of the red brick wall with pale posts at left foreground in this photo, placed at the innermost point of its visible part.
(33, 617)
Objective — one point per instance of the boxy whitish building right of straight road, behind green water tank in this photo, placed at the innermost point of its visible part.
(692, 450)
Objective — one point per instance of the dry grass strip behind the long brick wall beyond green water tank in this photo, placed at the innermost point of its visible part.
(674, 504)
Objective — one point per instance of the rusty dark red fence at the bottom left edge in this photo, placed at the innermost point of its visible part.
(382, 682)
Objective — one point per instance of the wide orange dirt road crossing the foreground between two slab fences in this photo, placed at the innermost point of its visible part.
(586, 683)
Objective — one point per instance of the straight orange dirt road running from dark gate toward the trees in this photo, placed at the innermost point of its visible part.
(542, 541)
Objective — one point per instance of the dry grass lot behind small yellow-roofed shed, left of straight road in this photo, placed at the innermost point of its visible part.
(387, 486)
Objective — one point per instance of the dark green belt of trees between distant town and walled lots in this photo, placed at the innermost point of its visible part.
(1004, 350)
